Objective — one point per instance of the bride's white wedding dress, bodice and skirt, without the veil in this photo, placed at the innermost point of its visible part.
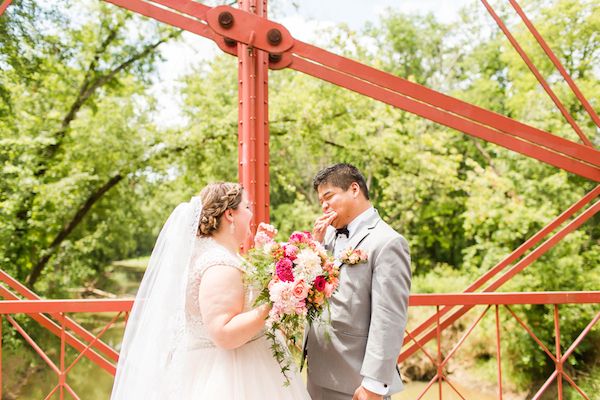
(205, 371)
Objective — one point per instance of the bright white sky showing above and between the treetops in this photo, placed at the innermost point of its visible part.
(303, 23)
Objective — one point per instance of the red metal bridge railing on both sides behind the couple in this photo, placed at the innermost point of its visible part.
(55, 315)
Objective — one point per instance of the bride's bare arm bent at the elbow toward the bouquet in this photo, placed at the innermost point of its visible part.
(222, 307)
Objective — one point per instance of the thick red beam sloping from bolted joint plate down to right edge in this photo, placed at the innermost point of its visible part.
(369, 81)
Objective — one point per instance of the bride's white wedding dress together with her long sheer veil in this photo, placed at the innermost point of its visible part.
(166, 353)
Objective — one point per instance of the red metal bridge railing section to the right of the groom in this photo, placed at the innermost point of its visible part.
(495, 303)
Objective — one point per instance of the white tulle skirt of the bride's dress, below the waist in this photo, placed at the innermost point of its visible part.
(247, 373)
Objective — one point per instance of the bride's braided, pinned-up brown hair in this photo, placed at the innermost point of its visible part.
(216, 199)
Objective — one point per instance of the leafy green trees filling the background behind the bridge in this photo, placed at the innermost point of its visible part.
(87, 177)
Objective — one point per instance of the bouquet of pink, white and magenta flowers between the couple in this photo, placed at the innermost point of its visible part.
(297, 277)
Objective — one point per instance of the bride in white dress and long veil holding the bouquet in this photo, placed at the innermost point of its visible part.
(192, 332)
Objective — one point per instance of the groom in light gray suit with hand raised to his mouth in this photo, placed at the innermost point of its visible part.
(355, 357)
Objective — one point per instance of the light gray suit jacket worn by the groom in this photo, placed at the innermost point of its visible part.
(368, 314)
